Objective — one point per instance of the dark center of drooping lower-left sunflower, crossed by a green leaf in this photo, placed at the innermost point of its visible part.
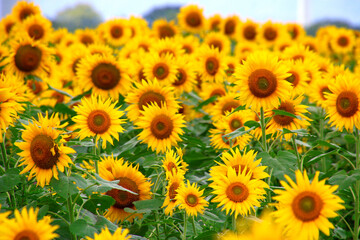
(122, 198)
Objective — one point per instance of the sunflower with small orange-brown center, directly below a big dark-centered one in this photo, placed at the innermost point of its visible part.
(98, 118)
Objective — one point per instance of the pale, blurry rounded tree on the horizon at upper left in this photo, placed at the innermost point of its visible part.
(80, 16)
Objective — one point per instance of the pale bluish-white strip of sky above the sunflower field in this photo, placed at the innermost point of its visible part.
(257, 10)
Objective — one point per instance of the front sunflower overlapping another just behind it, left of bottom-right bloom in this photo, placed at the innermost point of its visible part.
(237, 192)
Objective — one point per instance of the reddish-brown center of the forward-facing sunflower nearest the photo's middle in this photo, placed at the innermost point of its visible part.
(161, 126)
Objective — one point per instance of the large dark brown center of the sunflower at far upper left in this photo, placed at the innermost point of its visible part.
(28, 58)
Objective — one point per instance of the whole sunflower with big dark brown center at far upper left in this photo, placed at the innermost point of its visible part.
(28, 57)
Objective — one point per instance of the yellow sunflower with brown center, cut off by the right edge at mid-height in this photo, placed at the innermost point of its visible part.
(343, 102)
